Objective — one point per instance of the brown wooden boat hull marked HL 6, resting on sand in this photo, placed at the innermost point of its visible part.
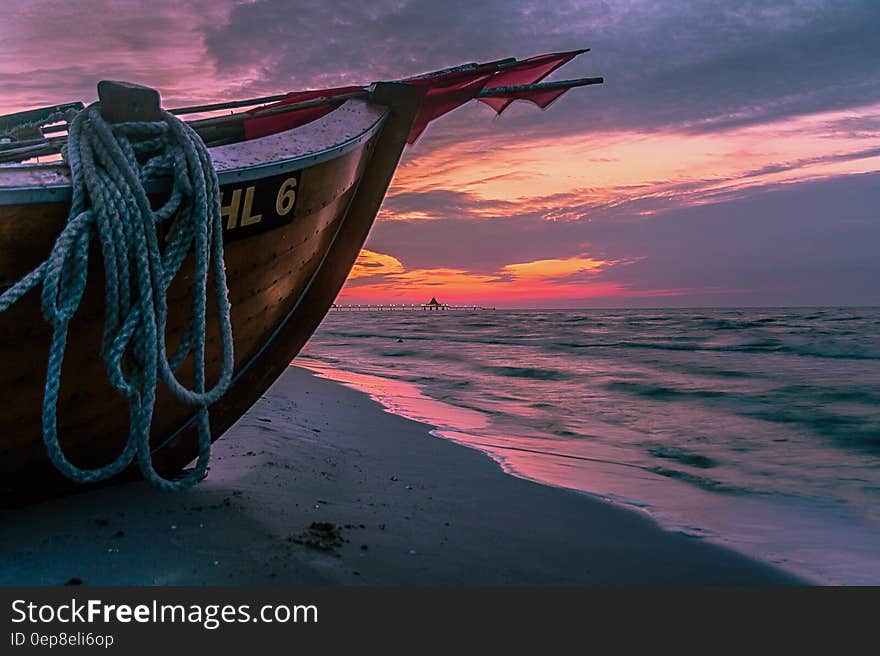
(297, 206)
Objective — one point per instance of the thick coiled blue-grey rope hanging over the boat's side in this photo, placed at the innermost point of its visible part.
(109, 164)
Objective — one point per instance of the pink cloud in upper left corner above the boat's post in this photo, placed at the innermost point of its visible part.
(53, 51)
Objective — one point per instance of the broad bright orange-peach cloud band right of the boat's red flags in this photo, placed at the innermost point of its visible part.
(505, 173)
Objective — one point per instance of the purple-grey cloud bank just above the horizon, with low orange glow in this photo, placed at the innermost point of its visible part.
(794, 245)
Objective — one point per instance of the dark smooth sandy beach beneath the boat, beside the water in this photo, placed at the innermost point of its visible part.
(317, 485)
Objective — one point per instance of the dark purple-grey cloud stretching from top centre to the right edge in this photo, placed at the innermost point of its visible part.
(699, 65)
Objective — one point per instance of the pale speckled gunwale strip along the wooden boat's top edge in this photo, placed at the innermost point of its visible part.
(61, 192)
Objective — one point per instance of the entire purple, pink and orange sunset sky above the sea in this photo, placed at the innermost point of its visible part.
(731, 158)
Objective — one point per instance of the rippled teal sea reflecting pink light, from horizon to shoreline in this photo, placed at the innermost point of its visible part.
(755, 428)
